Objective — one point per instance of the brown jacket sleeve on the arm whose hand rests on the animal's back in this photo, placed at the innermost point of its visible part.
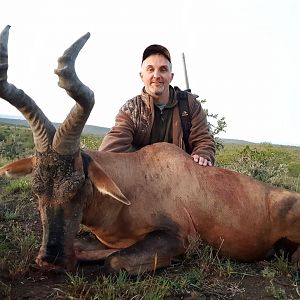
(201, 139)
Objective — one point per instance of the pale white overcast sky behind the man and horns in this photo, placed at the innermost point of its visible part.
(242, 56)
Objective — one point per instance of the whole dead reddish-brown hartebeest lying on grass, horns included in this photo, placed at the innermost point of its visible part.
(144, 207)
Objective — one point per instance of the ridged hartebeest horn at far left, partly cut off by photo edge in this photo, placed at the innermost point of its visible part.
(42, 129)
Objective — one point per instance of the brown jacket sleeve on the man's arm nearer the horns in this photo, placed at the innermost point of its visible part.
(120, 136)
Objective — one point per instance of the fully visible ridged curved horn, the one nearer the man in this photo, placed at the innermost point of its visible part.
(67, 138)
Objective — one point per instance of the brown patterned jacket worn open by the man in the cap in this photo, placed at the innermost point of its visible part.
(134, 122)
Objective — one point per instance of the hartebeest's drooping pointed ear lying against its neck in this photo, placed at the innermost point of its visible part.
(104, 183)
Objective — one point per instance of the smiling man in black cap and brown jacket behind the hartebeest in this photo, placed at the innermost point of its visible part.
(153, 116)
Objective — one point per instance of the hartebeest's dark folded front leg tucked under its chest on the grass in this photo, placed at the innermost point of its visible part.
(153, 252)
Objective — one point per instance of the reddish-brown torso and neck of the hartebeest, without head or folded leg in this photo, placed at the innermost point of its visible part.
(168, 191)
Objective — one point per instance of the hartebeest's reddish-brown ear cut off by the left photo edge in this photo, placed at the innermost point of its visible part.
(18, 168)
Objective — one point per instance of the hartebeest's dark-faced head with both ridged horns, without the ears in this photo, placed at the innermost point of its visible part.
(59, 174)
